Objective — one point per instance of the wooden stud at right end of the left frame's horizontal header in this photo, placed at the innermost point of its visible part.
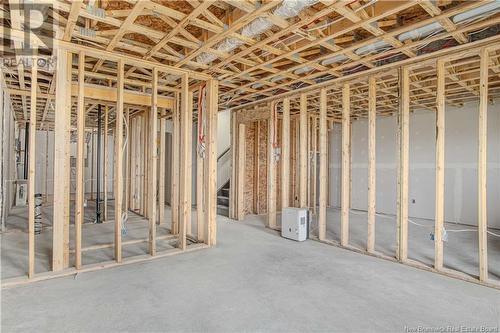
(174, 201)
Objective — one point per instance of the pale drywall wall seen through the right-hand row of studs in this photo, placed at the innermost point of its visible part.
(461, 151)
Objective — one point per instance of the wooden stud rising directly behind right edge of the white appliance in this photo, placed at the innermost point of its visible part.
(303, 152)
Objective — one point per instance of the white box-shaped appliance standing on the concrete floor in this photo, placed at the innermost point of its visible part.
(295, 223)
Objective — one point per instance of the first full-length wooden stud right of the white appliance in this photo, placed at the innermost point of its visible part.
(323, 165)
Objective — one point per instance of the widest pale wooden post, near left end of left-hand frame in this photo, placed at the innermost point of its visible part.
(60, 238)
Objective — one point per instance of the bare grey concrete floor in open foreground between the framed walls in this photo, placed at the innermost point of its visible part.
(252, 281)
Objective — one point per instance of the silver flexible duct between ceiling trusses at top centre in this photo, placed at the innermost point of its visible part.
(288, 9)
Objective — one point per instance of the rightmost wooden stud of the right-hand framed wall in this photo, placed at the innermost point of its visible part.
(482, 221)
